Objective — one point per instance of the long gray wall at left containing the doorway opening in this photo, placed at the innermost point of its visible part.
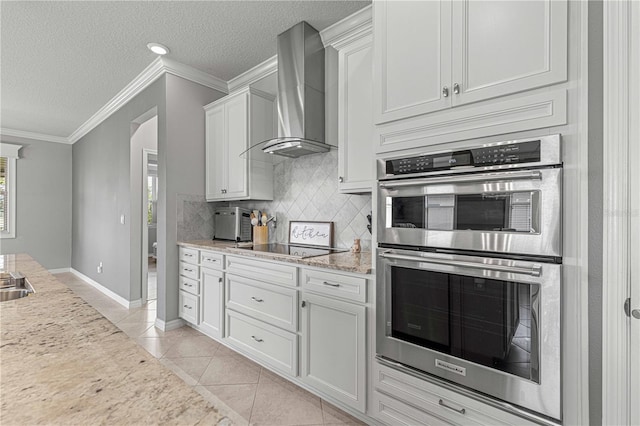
(102, 192)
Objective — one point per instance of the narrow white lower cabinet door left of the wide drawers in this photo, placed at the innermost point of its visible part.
(212, 299)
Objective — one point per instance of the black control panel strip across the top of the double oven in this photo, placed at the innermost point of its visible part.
(498, 155)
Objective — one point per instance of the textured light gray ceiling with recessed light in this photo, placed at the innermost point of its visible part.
(62, 61)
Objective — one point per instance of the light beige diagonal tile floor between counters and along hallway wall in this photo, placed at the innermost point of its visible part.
(219, 374)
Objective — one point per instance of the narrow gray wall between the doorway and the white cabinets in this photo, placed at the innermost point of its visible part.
(181, 172)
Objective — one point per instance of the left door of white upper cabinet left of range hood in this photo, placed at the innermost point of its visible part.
(215, 152)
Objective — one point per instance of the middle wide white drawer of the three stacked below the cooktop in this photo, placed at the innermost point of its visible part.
(275, 305)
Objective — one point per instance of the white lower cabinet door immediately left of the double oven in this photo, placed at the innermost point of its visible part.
(333, 348)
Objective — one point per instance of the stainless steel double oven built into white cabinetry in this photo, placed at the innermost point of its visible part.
(469, 268)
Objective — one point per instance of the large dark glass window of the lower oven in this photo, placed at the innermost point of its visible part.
(477, 319)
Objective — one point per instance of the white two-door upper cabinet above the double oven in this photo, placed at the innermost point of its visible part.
(432, 55)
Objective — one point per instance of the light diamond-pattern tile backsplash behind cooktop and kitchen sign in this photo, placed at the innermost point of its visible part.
(306, 188)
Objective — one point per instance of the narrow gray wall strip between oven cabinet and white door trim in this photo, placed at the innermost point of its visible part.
(595, 210)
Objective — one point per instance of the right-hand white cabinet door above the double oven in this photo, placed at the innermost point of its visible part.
(502, 47)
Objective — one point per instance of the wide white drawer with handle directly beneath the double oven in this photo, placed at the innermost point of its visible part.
(438, 401)
